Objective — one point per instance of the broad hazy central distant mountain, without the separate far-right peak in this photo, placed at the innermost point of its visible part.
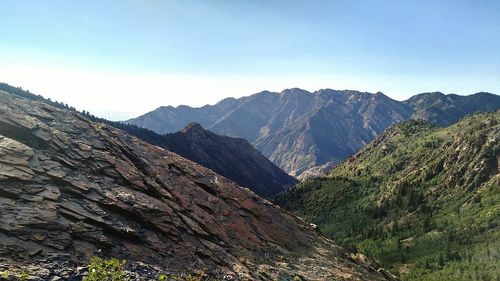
(295, 129)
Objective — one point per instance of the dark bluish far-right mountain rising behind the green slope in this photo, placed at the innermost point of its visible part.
(445, 110)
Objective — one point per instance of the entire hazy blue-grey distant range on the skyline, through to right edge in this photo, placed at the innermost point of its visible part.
(307, 133)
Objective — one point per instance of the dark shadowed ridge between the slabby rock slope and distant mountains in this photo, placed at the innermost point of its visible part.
(233, 158)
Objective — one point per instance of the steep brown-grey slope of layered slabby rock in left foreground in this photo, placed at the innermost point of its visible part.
(71, 189)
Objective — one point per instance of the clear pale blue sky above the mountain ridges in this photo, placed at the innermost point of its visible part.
(120, 59)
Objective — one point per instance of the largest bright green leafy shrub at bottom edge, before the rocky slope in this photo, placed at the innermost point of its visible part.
(106, 270)
